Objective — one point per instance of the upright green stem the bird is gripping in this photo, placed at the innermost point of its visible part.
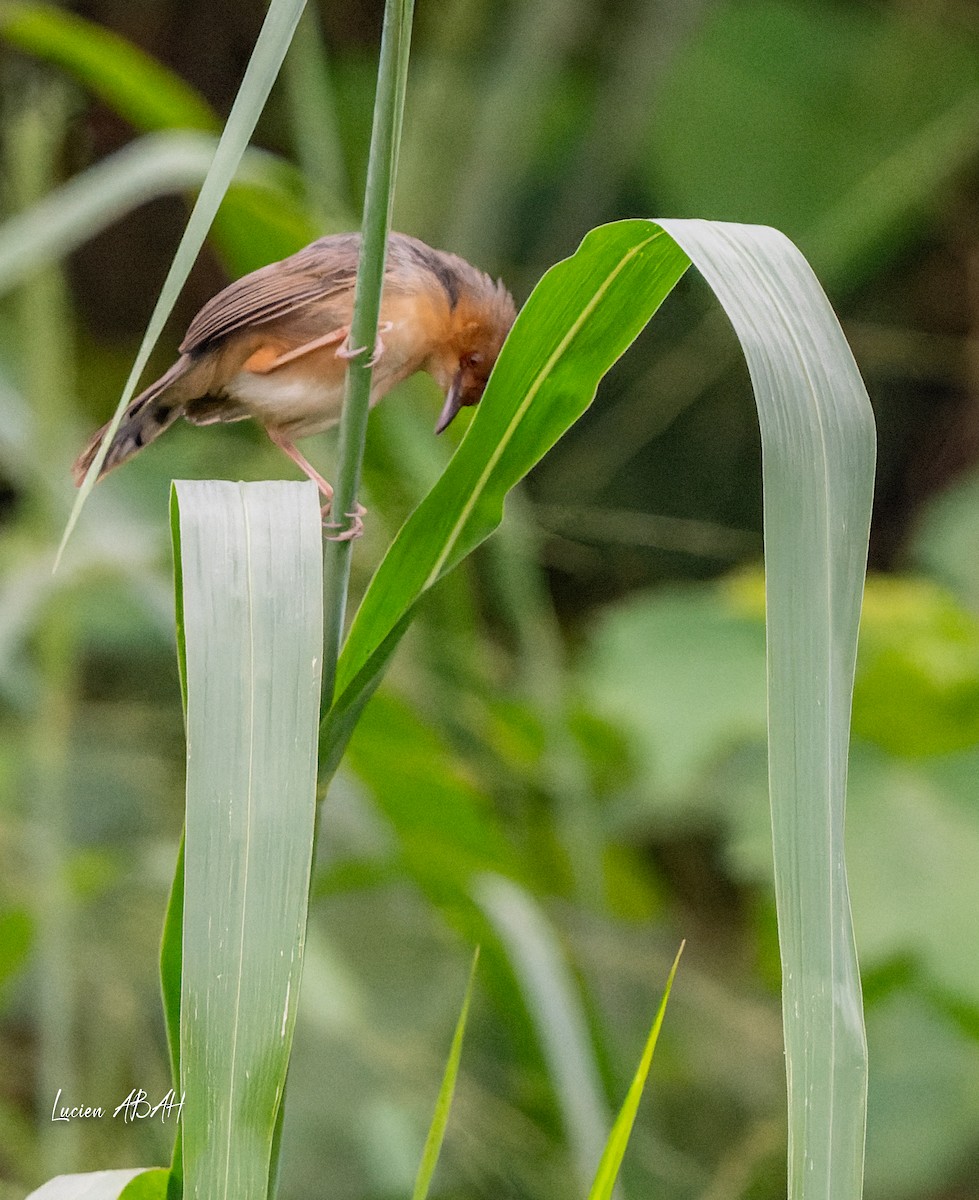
(382, 169)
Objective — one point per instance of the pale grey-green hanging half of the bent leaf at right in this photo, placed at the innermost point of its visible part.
(819, 458)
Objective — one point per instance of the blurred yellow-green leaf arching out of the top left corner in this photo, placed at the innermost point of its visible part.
(127, 79)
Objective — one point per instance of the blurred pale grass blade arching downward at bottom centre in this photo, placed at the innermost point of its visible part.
(552, 1000)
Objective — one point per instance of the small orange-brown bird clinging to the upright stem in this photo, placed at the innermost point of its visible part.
(275, 345)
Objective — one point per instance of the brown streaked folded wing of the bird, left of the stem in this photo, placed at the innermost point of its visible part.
(326, 268)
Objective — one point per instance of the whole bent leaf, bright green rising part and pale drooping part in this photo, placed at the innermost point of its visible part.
(819, 453)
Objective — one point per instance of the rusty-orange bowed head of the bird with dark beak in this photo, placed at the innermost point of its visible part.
(479, 326)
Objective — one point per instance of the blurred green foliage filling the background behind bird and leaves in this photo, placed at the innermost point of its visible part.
(603, 745)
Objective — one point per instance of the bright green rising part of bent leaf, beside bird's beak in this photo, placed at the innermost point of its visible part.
(580, 319)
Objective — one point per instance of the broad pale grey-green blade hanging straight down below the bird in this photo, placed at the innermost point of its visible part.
(251, 572)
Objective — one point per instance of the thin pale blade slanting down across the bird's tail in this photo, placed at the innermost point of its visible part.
(261, 74)
